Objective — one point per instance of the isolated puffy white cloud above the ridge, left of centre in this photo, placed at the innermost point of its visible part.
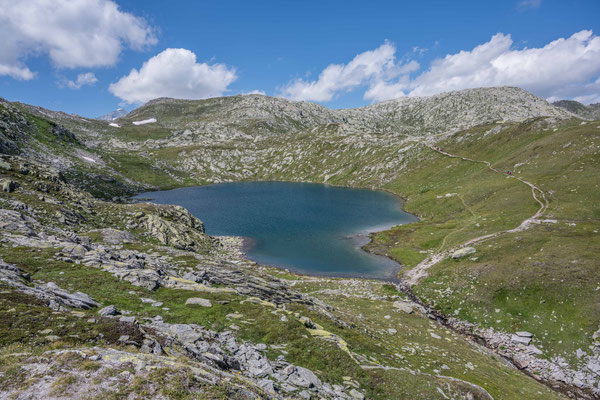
(174, 73)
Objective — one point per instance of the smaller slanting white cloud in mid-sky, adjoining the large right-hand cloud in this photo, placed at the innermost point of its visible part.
(369, 68)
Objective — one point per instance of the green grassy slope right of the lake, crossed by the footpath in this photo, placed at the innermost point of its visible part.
(544, 279)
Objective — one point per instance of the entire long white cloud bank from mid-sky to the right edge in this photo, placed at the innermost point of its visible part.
(564, 68)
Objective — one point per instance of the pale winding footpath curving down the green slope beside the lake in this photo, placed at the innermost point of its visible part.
(419, 272)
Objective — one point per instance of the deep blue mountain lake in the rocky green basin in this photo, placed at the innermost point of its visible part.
(309, 228)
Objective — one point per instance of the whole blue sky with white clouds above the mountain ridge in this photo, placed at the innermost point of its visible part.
(90, 57)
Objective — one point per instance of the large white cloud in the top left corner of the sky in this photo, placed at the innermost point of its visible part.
(73, 33)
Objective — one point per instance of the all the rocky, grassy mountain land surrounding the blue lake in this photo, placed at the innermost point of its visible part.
(101, 297)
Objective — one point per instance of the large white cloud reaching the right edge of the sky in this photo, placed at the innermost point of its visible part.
(563, 67)
